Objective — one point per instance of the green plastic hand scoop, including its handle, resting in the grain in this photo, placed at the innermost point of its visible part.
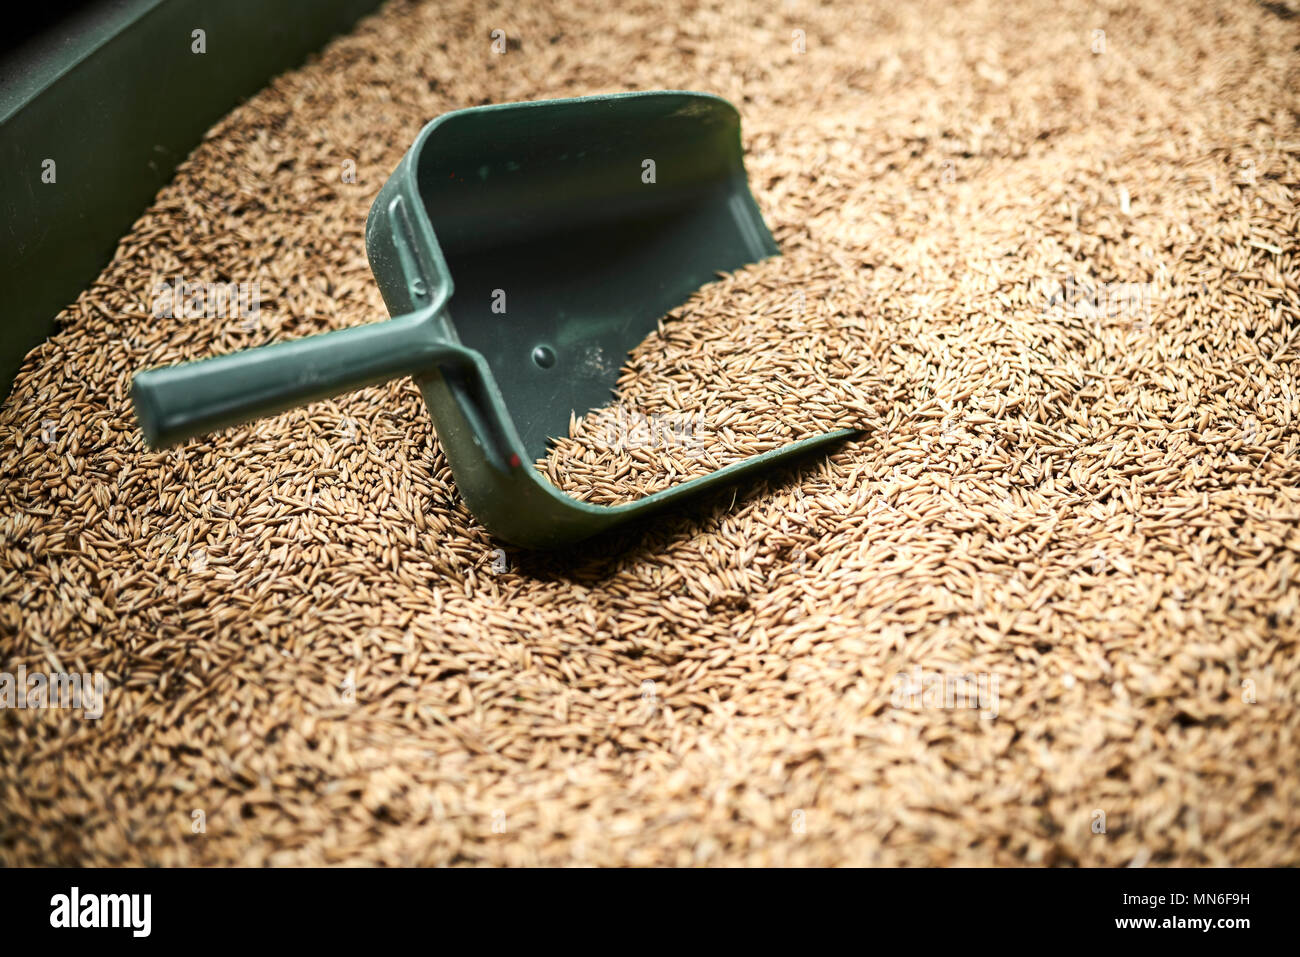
(523, 250)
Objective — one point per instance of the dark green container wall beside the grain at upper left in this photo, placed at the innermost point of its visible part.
(114, 94)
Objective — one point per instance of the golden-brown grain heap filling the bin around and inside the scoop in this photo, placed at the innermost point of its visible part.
(1046, 254)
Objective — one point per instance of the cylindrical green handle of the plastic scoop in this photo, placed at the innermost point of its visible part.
(176, 402)
